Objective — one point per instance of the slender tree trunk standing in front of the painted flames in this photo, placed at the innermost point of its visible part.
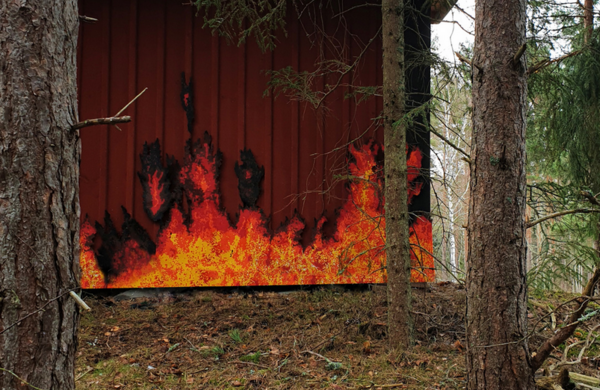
(396, 198)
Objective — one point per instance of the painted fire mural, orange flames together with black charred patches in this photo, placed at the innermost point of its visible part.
(197, 245)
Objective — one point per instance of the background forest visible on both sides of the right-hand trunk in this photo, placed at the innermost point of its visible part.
(562, 146)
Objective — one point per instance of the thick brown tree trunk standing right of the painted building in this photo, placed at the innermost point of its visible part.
(497, 352)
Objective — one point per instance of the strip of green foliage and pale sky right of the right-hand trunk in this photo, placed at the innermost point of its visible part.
(563, 139)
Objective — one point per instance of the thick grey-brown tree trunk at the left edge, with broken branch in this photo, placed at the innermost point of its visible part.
(39, 193)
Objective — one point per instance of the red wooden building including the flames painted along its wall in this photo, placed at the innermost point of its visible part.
(304, 150)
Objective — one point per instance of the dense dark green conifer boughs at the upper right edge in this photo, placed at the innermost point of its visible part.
(563, 126)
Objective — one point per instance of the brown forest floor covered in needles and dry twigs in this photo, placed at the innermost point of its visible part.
(320, 338)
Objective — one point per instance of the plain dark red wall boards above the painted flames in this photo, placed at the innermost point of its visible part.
(138, 44)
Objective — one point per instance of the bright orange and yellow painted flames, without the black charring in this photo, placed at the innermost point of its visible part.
(209, 251)
